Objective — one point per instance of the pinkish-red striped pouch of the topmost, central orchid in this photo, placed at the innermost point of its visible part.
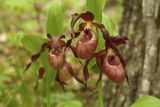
(86, 46)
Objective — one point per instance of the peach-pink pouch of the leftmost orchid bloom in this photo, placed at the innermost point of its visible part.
(56, 58)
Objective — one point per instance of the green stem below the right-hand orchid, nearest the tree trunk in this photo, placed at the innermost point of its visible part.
(100, 94)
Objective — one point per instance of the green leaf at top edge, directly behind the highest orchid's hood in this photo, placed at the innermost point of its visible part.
(96, 7)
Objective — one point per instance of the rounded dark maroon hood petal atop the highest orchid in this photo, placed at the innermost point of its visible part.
(88, 16)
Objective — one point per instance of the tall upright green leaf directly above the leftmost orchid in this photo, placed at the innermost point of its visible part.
(55, 19)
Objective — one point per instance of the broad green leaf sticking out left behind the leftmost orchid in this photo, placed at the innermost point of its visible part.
(33, 43)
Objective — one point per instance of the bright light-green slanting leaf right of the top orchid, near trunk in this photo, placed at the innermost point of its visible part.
(108, 23)
